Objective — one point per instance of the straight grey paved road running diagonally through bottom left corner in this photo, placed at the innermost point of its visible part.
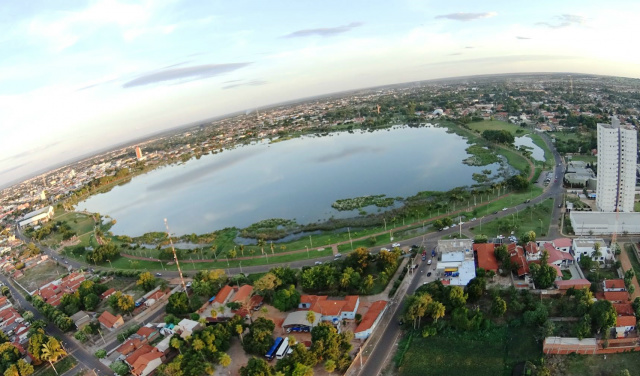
(88, 360)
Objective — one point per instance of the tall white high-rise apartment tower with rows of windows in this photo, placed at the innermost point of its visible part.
(617, 150)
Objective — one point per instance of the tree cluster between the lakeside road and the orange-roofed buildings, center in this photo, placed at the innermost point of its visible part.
(353, 275)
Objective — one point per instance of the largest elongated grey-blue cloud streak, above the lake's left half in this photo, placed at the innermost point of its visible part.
(196, 72)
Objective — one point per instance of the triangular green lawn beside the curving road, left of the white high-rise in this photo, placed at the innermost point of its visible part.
(526, 220)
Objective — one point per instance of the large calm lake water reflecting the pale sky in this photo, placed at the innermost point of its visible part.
(295, 179)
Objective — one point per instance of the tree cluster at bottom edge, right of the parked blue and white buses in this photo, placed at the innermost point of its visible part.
(329, 348)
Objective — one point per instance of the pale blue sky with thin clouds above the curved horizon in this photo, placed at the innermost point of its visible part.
(79, 76)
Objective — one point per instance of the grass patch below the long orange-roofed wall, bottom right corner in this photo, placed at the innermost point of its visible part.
(579, 365)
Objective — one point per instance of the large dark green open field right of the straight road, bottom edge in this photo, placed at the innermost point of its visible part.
(478, 354)
